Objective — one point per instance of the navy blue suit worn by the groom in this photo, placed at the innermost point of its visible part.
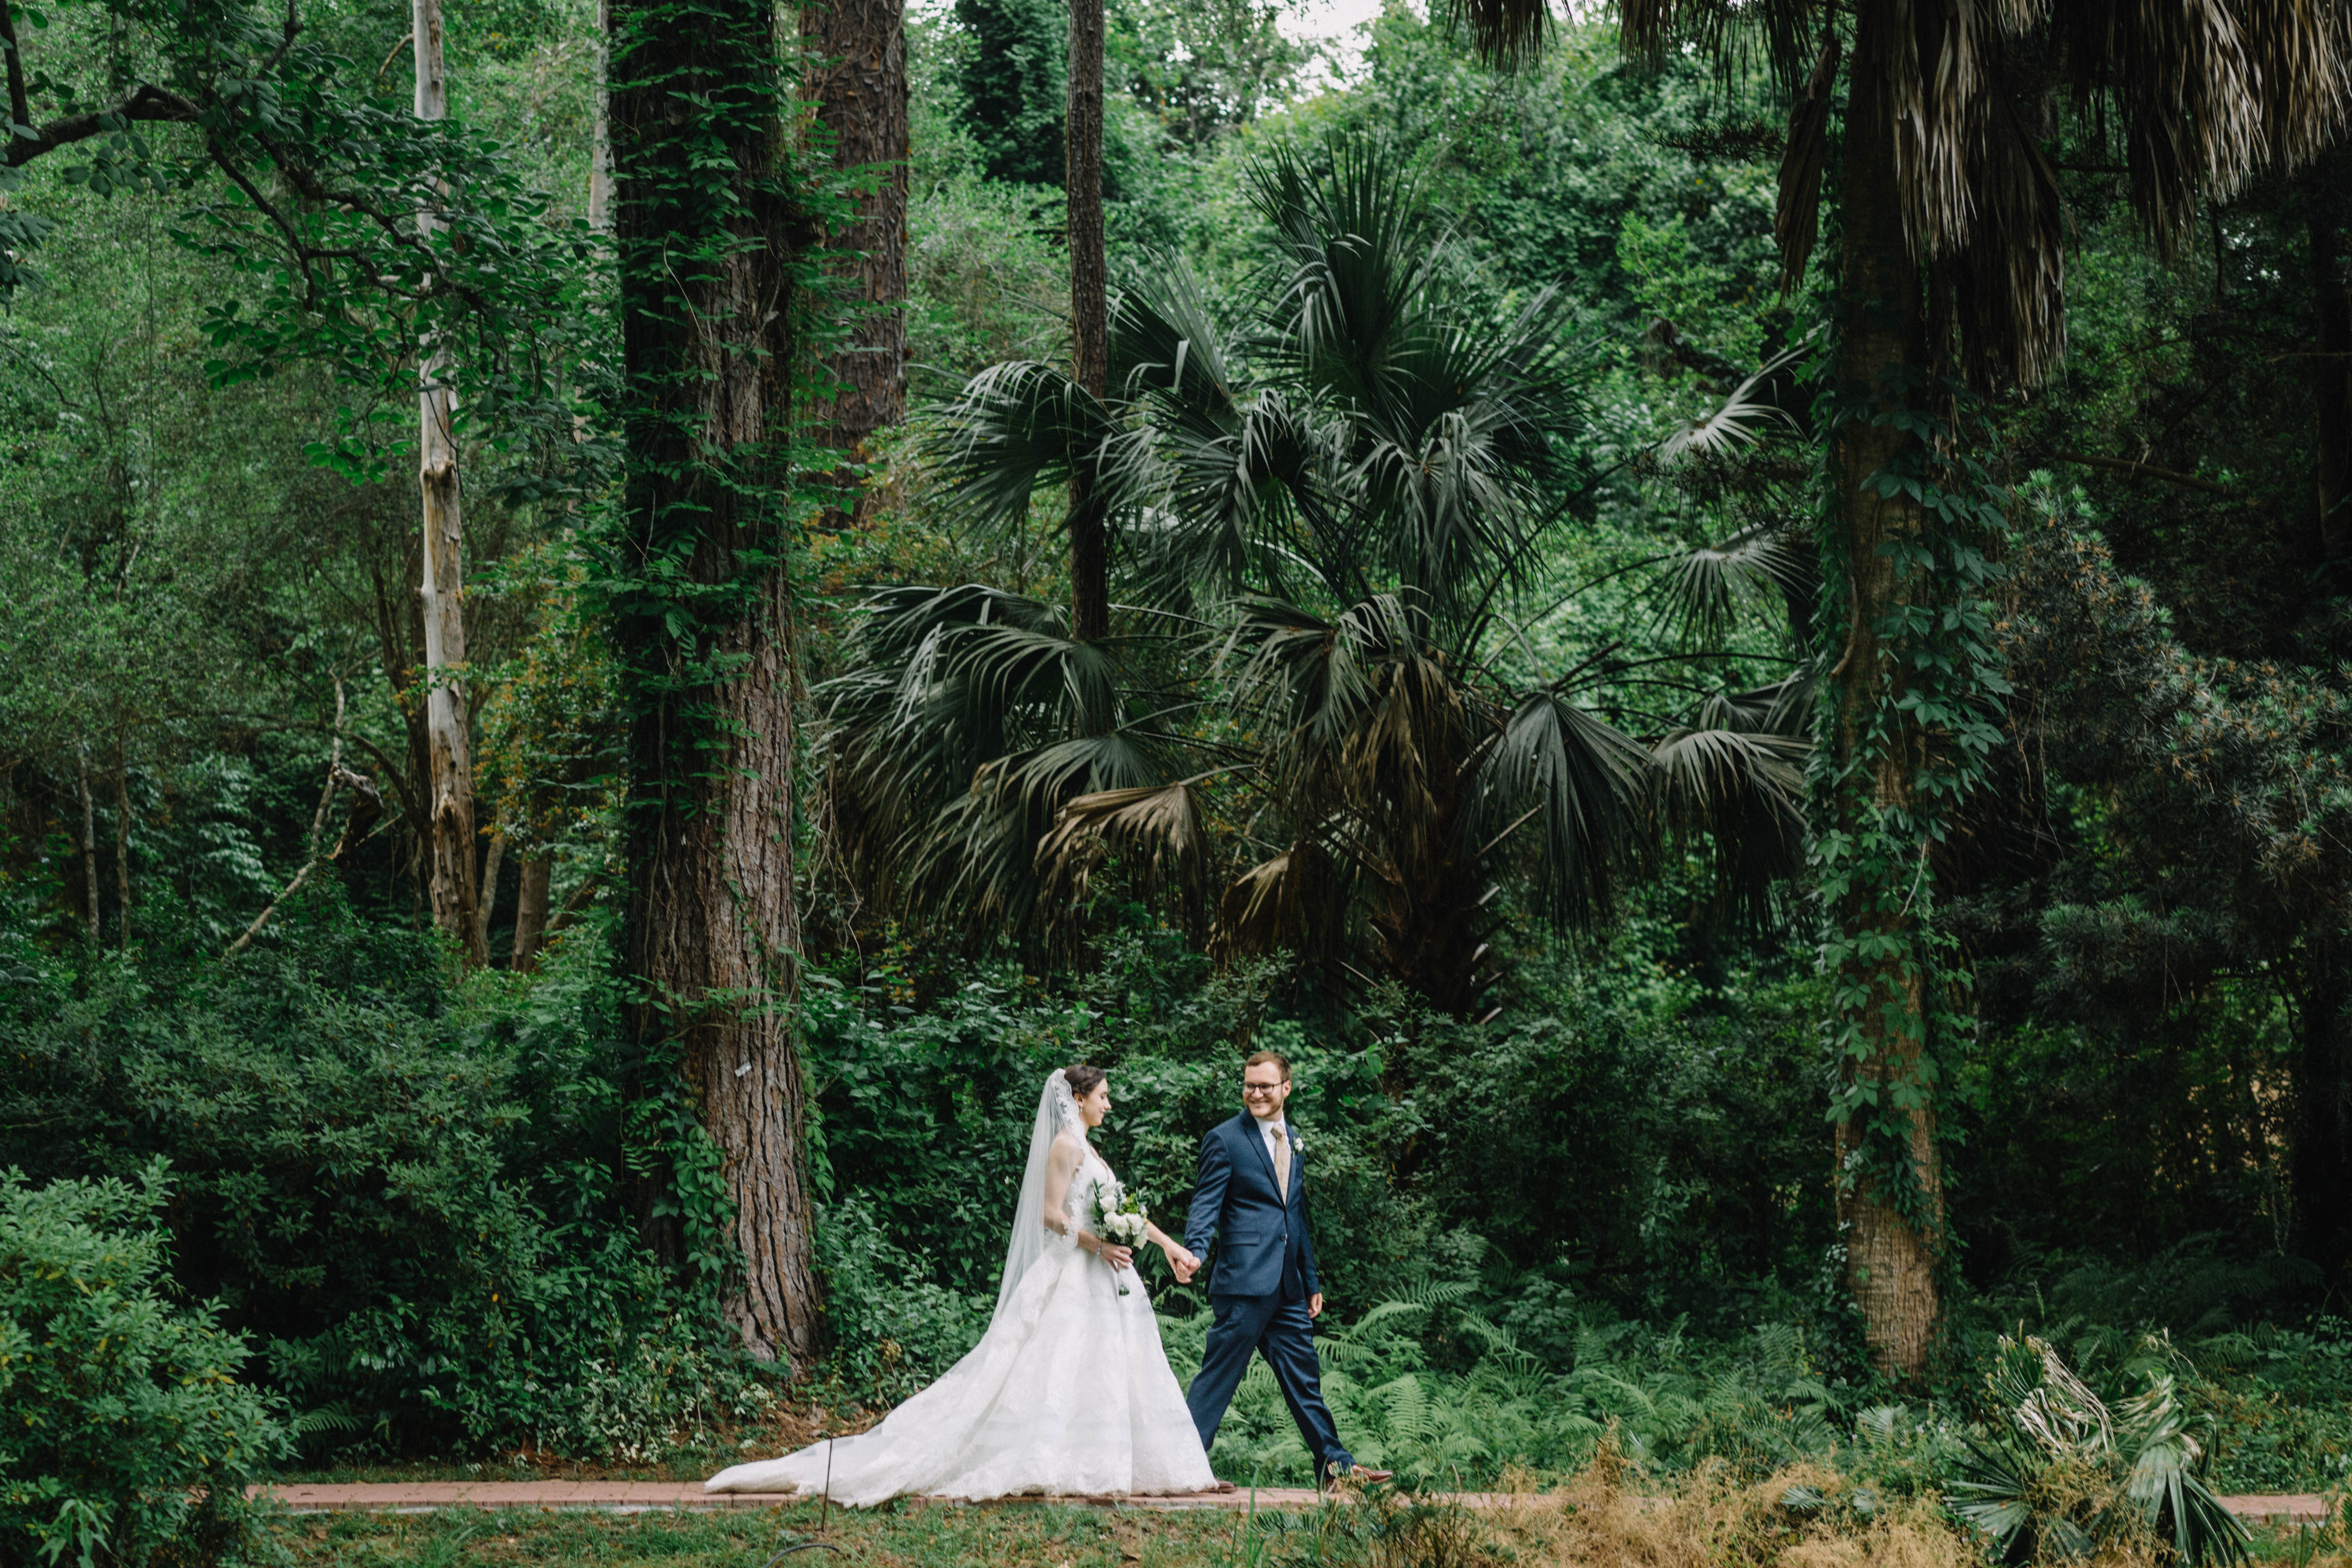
(1259, 1287)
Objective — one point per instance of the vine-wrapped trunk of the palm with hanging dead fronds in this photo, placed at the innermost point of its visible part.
(1880, 359)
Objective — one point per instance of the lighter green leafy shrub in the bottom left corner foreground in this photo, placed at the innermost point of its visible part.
(128, 1438)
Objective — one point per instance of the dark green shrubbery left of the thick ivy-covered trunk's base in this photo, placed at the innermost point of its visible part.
(403, 1186)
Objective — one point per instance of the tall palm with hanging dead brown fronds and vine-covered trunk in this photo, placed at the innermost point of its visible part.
(1951, 257)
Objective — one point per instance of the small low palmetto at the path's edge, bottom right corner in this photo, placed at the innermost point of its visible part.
(2069, 1475)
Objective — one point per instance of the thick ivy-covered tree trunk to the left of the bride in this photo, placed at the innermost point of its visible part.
(707, 239)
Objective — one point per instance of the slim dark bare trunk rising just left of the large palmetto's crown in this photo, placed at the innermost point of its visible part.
(1090, 309)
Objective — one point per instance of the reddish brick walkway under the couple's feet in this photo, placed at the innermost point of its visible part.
(639, 1496)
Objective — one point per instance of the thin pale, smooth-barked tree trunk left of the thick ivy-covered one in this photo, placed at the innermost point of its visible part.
(448, 753)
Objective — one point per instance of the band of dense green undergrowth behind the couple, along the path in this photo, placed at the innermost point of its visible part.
(408, 1195)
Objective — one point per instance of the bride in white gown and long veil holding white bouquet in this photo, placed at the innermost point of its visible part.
(1067, 1393)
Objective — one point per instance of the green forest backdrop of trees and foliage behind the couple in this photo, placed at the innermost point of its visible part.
(1579, 1177)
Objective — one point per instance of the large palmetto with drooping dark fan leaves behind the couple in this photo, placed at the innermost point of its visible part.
(1323, 716)
